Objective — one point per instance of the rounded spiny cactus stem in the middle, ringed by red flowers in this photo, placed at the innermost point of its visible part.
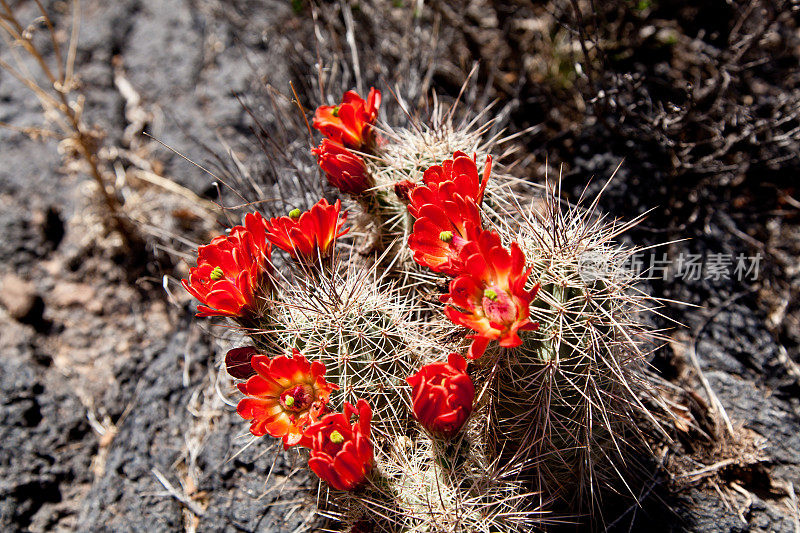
(357, 324)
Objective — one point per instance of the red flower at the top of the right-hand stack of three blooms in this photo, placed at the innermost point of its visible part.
(462, 172)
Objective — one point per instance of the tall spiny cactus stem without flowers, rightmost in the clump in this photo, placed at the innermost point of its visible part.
(575, 391)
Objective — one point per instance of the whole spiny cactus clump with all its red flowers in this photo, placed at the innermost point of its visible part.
(482, 335)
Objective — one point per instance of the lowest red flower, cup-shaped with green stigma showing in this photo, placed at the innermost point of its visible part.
(341, 452)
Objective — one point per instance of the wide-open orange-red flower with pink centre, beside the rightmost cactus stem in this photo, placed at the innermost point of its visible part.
(490, 296)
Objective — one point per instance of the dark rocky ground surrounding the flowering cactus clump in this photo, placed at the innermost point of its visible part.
(110, 418)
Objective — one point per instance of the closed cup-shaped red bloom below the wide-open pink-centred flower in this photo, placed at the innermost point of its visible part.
(442, 395)
